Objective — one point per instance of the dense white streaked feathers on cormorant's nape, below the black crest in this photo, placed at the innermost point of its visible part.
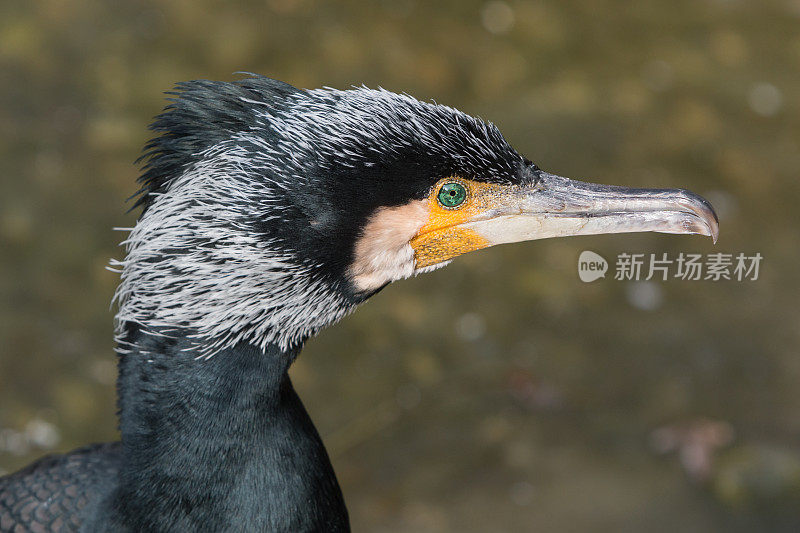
(192, 265)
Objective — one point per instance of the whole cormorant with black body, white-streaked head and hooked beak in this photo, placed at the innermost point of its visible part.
(268, 213)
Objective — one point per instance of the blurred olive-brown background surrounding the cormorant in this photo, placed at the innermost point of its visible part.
(501, 393)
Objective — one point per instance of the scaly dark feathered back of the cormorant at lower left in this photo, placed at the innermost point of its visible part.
(58, 492)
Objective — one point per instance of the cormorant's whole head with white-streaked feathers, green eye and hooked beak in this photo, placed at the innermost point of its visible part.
(269, 212)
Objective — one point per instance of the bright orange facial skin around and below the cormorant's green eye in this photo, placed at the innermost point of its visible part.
(441, 238)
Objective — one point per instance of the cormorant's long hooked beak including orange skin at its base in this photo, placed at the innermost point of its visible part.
(553, 206)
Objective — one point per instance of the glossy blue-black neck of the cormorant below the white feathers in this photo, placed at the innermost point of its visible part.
(220, 443)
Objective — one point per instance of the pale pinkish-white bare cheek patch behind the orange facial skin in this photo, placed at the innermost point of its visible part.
(382, 252)
